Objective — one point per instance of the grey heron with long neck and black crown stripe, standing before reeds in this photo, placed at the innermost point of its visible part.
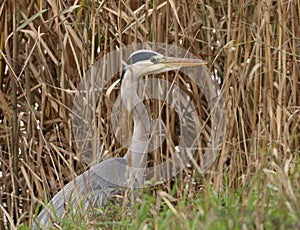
(101, 181)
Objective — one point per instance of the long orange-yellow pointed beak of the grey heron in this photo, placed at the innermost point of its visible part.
(172, 62)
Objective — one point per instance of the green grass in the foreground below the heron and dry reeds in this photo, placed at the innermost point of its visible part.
(259, 205)
